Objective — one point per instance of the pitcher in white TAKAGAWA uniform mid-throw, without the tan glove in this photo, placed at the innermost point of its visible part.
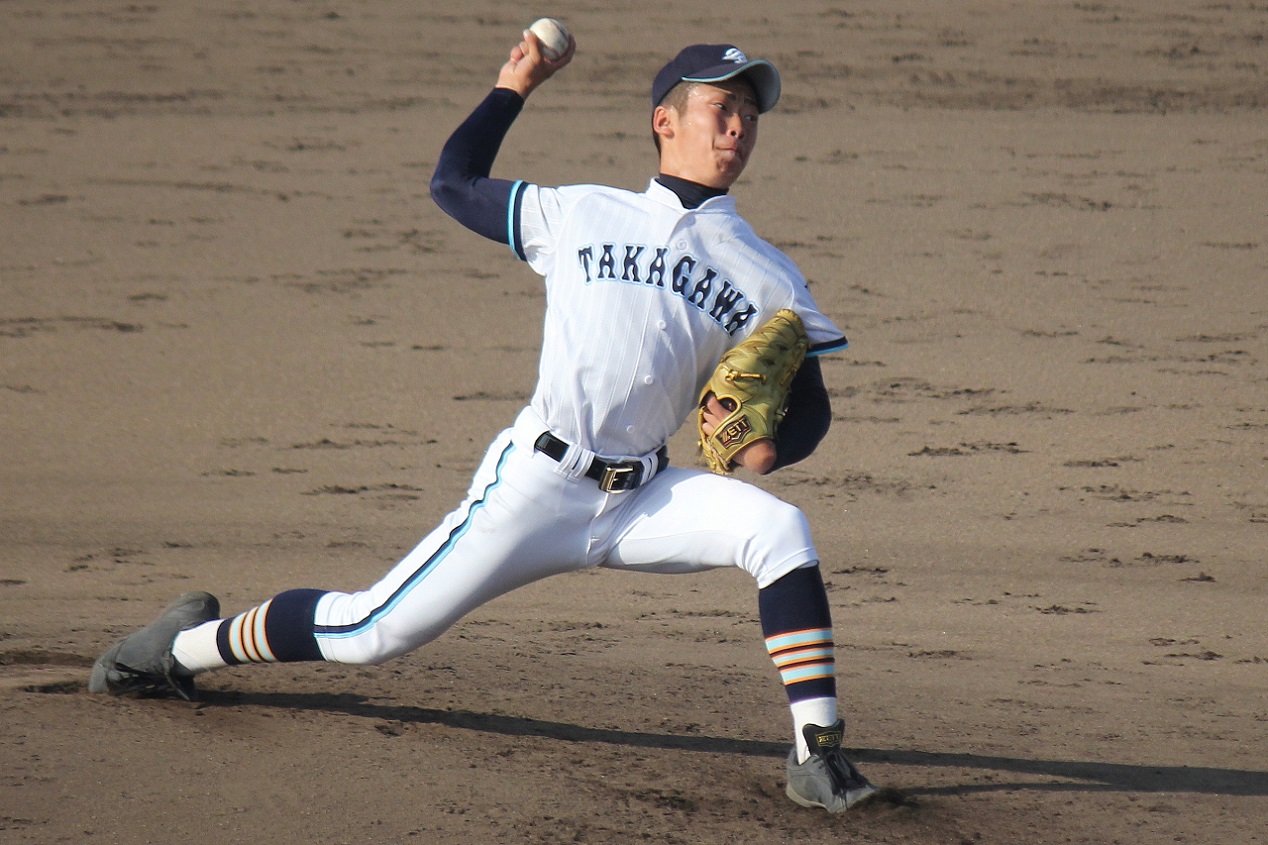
(645, 294)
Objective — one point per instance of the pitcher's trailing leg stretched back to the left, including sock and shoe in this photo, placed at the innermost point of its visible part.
(494, 542)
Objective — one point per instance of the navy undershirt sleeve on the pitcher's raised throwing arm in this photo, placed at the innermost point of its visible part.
(462, 186)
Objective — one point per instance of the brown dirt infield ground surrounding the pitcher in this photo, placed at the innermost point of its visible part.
(242, 351)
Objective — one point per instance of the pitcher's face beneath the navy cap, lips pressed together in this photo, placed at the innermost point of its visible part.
(712, 139)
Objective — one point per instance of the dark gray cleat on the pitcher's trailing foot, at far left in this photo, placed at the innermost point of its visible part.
(143, 664)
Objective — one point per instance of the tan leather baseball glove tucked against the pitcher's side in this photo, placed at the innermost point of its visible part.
(753, 383)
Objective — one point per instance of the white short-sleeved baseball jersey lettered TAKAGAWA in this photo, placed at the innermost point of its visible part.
(635, 329)
